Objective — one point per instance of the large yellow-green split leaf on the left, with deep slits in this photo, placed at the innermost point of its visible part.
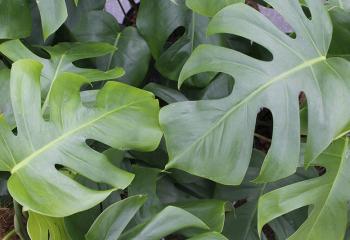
(123, 117)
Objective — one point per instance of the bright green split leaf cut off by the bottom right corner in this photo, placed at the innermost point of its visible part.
(326, 194)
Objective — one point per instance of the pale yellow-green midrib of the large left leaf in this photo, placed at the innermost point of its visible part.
(66, 135)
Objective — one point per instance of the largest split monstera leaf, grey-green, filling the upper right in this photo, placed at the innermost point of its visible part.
(213, 139)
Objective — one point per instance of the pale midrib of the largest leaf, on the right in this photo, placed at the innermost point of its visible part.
(257, 91)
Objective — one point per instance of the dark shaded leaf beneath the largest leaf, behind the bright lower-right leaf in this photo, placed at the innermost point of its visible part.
(241, 224)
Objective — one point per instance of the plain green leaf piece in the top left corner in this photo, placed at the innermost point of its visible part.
(15, 19)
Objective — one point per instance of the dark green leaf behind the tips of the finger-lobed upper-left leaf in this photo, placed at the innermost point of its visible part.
(133, 54)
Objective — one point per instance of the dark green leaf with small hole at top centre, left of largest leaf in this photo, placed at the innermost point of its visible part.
(170, 59)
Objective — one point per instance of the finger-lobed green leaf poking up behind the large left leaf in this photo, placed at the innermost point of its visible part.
(62, 57)
